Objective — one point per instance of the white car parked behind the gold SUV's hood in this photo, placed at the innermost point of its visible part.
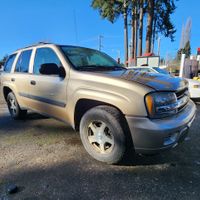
(194, 85)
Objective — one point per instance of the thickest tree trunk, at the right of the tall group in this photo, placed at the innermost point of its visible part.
(150, 17)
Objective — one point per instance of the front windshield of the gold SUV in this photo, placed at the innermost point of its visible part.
(89, 59)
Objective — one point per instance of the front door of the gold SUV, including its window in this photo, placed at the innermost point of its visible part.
(48, 93)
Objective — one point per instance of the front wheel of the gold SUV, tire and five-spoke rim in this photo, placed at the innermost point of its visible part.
(110, 145)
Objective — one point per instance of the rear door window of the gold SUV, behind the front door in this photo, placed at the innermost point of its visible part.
(23, 62)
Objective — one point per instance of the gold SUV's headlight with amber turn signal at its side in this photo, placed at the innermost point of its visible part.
(161, 104)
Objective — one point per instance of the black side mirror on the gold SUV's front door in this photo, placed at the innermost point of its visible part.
(49, 69)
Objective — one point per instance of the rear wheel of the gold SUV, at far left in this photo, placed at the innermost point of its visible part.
(15, 111)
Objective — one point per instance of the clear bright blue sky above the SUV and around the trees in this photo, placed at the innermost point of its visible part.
(24, 22)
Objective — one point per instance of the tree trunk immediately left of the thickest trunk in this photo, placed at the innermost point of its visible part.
(141, 28)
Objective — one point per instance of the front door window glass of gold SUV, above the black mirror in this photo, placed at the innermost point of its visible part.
(45, 56)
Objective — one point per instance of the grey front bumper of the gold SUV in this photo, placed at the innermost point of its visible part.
(154, 135)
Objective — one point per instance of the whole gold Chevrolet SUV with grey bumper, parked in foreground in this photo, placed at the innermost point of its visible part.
(113, 108)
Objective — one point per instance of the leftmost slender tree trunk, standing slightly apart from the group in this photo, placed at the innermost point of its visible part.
(125, 34)
